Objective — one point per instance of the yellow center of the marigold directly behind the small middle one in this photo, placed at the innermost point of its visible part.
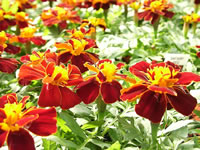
(78, 46)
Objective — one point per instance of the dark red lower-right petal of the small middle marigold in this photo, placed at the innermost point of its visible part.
(110, 91)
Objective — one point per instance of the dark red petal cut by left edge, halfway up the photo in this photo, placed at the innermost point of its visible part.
(8, 65)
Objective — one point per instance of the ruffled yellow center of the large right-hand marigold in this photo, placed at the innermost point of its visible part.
(162, 76)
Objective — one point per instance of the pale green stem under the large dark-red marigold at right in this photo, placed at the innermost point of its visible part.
(154, 131)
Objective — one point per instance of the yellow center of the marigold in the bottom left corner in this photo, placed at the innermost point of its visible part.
(13, 114)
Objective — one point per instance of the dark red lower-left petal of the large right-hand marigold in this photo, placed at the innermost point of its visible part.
(151, 106)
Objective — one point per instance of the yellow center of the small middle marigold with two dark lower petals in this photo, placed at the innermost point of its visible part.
(108, 70)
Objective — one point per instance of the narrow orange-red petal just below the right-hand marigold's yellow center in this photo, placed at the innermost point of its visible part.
(162, 90)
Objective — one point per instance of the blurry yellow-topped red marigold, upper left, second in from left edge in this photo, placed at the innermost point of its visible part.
(27, 35)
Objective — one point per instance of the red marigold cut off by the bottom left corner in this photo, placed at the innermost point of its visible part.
(16, 121)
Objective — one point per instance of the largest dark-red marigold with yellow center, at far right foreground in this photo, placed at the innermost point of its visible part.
(161, 85)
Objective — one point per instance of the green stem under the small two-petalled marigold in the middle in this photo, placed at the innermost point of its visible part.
(101, 108)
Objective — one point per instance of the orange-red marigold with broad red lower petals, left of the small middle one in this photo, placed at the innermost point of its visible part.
(55, 81)
